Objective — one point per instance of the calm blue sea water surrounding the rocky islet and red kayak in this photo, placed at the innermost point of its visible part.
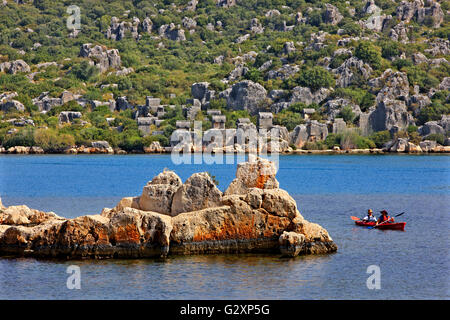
(328, 189)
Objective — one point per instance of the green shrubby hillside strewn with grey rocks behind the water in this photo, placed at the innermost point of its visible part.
(353, 74)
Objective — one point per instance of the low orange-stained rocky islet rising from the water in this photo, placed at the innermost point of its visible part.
(170, 218)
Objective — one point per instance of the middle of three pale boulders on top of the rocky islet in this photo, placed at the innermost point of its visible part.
(197, 193)
